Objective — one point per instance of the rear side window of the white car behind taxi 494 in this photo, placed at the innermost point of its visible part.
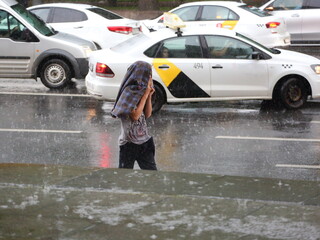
(217, 13)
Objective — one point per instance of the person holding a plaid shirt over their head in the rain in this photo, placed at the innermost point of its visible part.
(133, 105)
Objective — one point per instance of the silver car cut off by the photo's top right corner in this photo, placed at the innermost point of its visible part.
(302, 18)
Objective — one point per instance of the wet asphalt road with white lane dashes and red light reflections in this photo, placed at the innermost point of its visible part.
(241, 138)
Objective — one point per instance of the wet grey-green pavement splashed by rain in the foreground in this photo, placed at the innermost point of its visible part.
(61, 202)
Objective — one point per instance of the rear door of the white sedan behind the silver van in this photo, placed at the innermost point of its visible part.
(69, 20)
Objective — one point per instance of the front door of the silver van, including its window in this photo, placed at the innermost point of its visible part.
(16, 54)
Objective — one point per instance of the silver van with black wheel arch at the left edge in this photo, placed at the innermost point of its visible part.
(30, 49)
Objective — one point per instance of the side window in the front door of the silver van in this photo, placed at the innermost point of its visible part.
(11, 28)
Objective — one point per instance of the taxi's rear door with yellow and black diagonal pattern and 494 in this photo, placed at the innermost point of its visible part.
(183, 70)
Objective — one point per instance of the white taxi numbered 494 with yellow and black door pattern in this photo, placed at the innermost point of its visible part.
(202, 65)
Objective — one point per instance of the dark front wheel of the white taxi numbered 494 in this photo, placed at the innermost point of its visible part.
(293, 93)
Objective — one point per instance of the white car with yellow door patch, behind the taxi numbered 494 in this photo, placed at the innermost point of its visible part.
(250, 21)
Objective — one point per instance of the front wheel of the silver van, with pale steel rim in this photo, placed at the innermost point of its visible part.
(55, 73)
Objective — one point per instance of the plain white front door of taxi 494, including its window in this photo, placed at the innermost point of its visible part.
(233, 71)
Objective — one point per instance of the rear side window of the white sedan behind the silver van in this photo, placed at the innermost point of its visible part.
(68, 15)
